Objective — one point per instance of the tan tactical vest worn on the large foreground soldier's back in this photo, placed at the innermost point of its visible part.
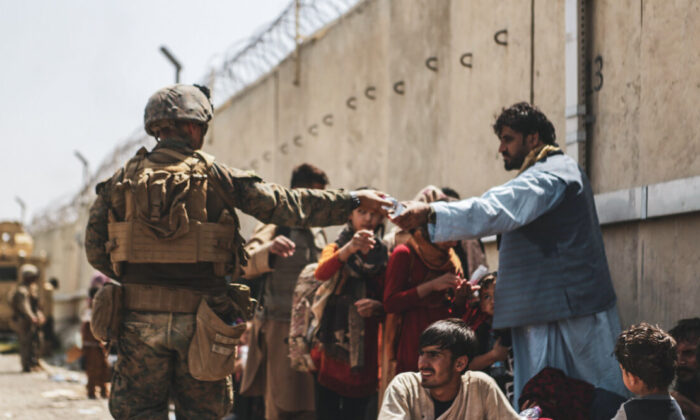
(161, 214)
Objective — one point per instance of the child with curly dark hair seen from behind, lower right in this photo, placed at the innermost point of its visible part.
(647, 357)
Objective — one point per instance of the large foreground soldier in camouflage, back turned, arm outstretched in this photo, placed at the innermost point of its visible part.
(165, 226)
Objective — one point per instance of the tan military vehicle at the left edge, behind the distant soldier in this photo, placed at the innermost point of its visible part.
(16, 248)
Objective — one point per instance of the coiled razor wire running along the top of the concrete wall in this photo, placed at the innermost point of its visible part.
(243, 63)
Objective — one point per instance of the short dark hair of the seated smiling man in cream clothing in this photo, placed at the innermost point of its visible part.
(450, 334)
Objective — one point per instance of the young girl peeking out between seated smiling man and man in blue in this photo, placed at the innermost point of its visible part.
(493, 355)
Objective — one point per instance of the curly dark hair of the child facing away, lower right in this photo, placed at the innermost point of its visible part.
(648, 352)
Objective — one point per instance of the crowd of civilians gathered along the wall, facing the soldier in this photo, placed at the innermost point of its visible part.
(408, 322)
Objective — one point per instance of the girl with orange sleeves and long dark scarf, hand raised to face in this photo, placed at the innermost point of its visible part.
(347, 357)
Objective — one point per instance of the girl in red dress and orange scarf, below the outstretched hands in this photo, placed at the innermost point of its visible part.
(420, 283)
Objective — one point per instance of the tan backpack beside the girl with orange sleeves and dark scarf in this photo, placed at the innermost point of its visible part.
(308, 302)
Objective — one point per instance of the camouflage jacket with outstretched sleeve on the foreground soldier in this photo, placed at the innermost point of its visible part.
(267, 202)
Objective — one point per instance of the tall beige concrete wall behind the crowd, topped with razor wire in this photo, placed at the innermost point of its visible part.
(439, 131)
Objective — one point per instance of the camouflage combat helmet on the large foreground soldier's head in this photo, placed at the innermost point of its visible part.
(177, 103)
